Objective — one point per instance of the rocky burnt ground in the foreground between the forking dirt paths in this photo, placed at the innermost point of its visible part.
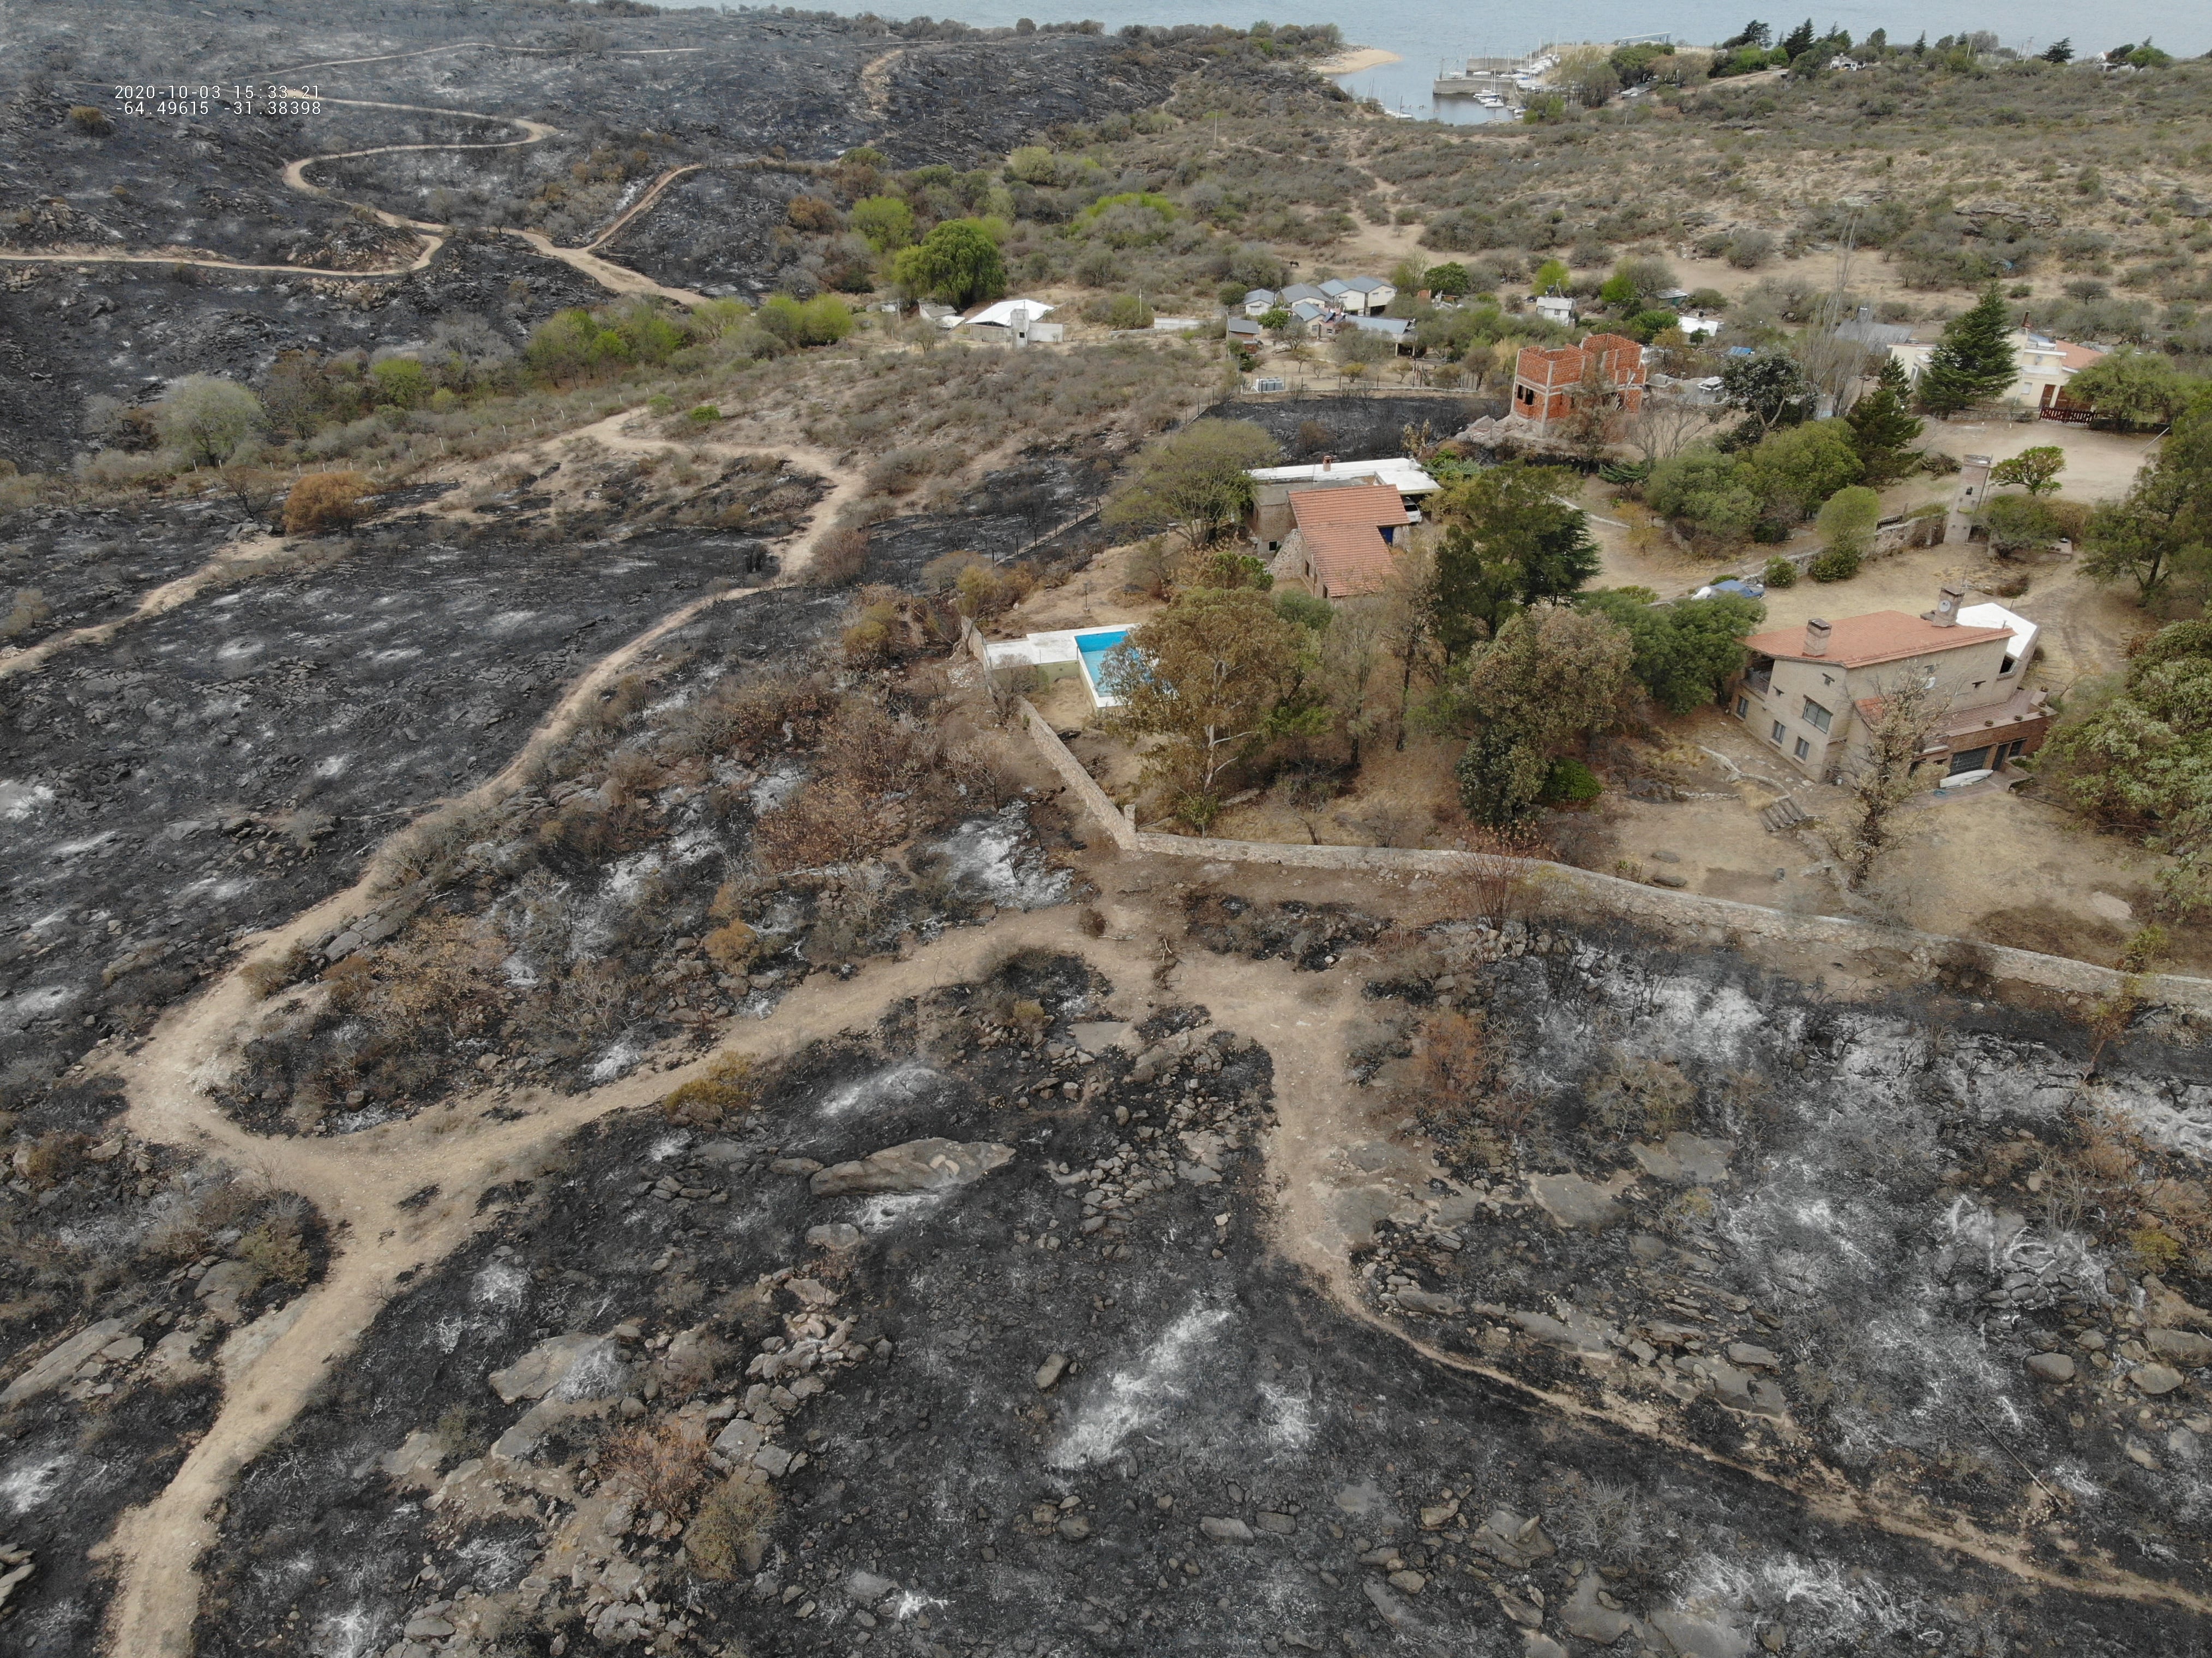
(1229, 1467)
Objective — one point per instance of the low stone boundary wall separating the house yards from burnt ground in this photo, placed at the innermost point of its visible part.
(1709, 921)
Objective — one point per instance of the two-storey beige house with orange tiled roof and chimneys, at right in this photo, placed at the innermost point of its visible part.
(1815, 693)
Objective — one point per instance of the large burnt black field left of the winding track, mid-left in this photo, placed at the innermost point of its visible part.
(233, 762)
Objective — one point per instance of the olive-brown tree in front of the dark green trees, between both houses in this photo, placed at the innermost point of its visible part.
(1550, 680)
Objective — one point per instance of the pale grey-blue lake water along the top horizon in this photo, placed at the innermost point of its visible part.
(1441, 34)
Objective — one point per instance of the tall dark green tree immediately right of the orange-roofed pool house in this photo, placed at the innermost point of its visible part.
(1510, 541)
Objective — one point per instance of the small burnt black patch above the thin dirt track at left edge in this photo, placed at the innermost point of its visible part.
(92, 567)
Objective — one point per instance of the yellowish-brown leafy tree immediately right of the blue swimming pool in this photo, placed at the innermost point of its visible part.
(1207, 680)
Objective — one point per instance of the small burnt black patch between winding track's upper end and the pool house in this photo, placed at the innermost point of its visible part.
(1041, 510)
